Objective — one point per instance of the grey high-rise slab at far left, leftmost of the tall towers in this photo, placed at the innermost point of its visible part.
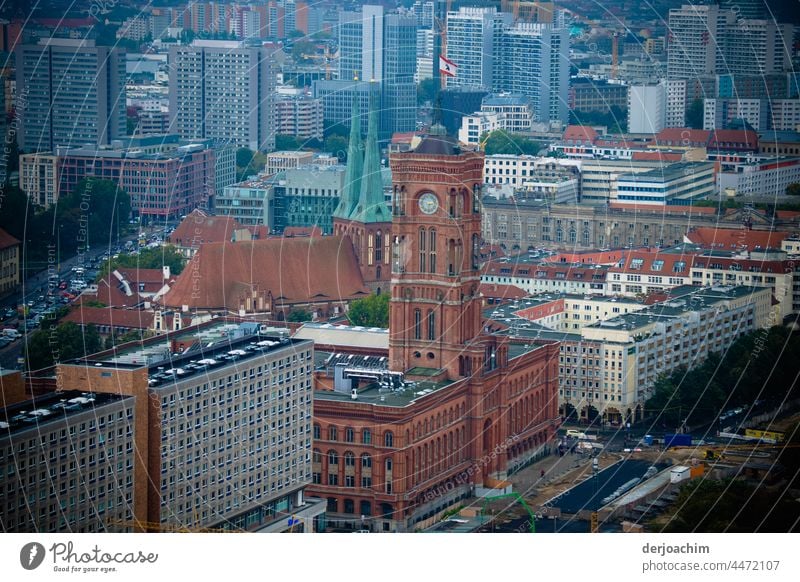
(70, 92)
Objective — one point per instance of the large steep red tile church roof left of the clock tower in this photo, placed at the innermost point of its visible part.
(294, 270)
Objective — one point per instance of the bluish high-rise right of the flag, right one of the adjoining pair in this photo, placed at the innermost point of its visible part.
(534, 62)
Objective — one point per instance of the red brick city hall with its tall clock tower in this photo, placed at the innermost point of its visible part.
(406, 428)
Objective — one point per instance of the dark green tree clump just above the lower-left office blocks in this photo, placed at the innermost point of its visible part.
(67, 341)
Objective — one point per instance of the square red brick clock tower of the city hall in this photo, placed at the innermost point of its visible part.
(435, 310)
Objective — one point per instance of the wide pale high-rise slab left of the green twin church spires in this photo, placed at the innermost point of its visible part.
(223, 90)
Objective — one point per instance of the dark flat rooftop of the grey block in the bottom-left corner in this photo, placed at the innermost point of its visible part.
(51, 407)
